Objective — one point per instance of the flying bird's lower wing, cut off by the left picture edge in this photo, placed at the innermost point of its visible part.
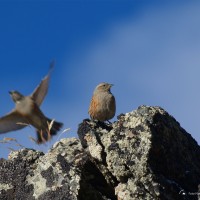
(11, 122)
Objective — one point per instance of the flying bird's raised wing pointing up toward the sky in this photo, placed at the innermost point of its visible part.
(41, 90)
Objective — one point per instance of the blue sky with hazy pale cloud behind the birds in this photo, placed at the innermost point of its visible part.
(149, 50)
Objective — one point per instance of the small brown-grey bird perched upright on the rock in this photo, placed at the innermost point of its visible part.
(102, 106)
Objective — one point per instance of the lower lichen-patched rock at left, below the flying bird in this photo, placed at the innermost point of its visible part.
(29, 174)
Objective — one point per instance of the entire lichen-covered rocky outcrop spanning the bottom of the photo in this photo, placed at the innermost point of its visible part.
(145, 154)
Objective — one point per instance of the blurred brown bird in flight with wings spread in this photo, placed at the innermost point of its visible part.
(27, 112)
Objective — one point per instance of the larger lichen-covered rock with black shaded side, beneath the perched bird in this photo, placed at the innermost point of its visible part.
(148, 155)
